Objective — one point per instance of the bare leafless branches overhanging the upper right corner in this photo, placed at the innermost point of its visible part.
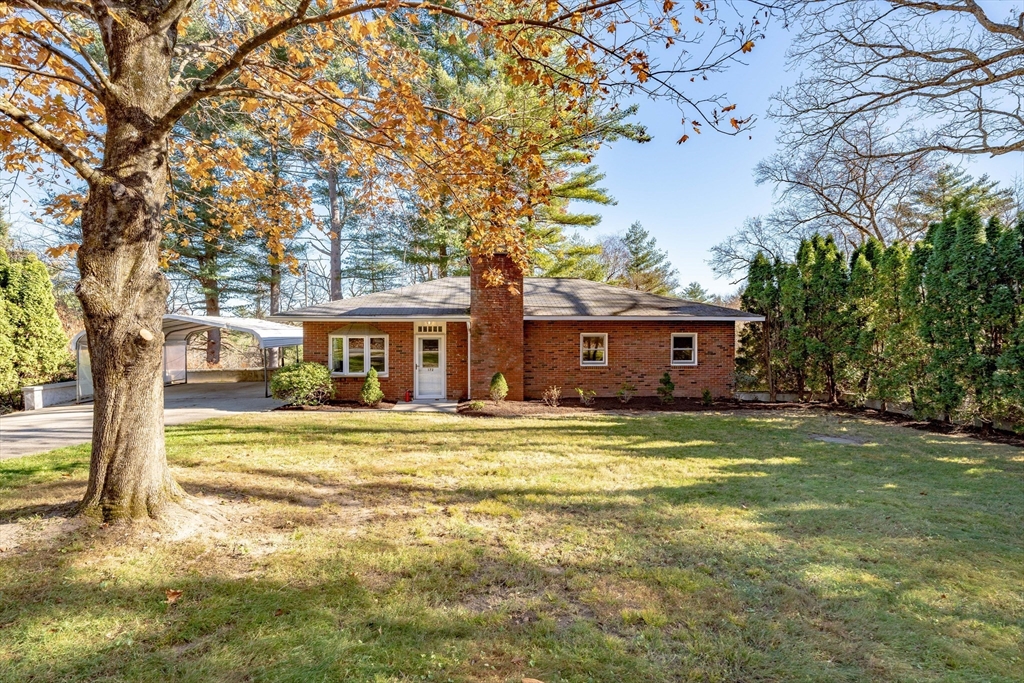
(949, 75)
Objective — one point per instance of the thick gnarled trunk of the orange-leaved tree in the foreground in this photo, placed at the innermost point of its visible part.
(123, 291)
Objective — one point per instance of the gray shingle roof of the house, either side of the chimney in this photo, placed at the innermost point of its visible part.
(544, 297)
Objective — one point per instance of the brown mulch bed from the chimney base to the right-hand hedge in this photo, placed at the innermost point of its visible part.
(653, 405)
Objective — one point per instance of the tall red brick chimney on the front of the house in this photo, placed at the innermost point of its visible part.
(496, 326)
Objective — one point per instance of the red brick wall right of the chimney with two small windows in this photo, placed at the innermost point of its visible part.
(639, 353)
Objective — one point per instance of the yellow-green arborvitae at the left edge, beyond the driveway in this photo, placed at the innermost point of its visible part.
(39, 340)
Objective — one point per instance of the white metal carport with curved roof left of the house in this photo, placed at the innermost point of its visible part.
(179, 330)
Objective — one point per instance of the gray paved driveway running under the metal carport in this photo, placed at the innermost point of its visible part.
(58, 426)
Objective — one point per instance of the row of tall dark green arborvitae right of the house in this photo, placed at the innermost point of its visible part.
(940, 325)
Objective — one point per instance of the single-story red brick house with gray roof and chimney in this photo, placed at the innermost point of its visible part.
(445, 339)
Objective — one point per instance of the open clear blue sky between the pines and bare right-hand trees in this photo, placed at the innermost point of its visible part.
(693, 196)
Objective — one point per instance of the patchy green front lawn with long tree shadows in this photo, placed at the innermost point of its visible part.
(381, 547)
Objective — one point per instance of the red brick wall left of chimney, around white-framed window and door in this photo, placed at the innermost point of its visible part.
(402, 357)
